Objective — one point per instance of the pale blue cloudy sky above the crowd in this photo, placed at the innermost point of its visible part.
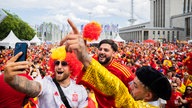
(35, 12)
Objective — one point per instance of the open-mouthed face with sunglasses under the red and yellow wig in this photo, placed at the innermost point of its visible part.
(62, 71)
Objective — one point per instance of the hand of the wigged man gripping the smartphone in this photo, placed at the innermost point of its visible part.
(12, 68)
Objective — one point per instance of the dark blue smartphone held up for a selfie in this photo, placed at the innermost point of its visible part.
(21, 47)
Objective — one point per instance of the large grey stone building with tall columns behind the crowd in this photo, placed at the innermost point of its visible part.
(170, 20)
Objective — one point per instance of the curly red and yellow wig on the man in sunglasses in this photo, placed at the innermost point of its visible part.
(60, 53)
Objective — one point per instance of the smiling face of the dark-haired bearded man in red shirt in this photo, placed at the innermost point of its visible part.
(105, 54)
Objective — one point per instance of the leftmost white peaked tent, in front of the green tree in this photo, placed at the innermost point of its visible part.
(10, 40)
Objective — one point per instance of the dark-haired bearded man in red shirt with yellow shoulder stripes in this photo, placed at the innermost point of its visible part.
(106, 52)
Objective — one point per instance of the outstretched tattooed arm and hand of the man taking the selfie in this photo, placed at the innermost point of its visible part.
(19, 83)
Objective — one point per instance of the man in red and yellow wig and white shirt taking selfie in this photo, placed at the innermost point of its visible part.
(49, 96)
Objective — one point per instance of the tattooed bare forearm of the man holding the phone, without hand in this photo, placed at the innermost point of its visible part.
(29, 87)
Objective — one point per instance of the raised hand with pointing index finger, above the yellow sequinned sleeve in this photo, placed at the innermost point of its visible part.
(75, 42)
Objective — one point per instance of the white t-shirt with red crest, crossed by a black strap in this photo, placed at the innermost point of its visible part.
(49, 96)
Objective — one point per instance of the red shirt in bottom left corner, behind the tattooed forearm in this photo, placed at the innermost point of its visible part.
(10, 98)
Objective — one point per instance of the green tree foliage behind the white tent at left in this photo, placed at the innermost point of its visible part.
(20, 28)
